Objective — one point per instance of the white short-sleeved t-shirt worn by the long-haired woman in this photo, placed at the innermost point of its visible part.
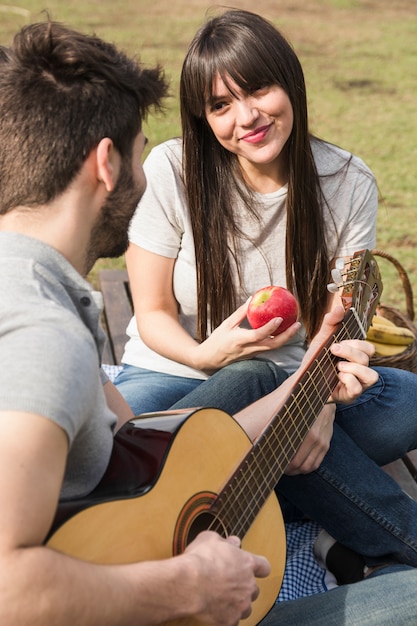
(162, 225)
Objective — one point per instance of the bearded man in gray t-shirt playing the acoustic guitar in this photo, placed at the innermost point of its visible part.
(71, 110)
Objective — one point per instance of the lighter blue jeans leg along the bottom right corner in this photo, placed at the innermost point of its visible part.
(388, 600)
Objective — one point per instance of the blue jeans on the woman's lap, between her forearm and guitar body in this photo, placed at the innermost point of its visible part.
(231, 389)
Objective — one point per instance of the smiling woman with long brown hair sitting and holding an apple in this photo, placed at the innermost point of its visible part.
(251, 198)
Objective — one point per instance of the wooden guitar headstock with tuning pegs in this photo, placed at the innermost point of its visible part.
(361, 282)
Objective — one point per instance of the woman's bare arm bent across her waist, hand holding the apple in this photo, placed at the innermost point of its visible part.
(156, 311)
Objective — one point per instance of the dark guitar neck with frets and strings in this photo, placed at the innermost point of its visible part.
(260, 470)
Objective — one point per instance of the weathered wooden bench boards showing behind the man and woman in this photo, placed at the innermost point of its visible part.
(114, 285)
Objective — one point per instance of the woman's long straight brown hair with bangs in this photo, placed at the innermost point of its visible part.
(244, 47)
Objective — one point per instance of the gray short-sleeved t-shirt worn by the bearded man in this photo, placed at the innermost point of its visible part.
(50, 346)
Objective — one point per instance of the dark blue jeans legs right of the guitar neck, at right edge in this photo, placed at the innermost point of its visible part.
(349, 495)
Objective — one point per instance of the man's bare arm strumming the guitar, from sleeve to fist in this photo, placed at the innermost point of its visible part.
(213, 580)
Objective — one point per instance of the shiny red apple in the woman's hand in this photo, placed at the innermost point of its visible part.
(270, 302)
